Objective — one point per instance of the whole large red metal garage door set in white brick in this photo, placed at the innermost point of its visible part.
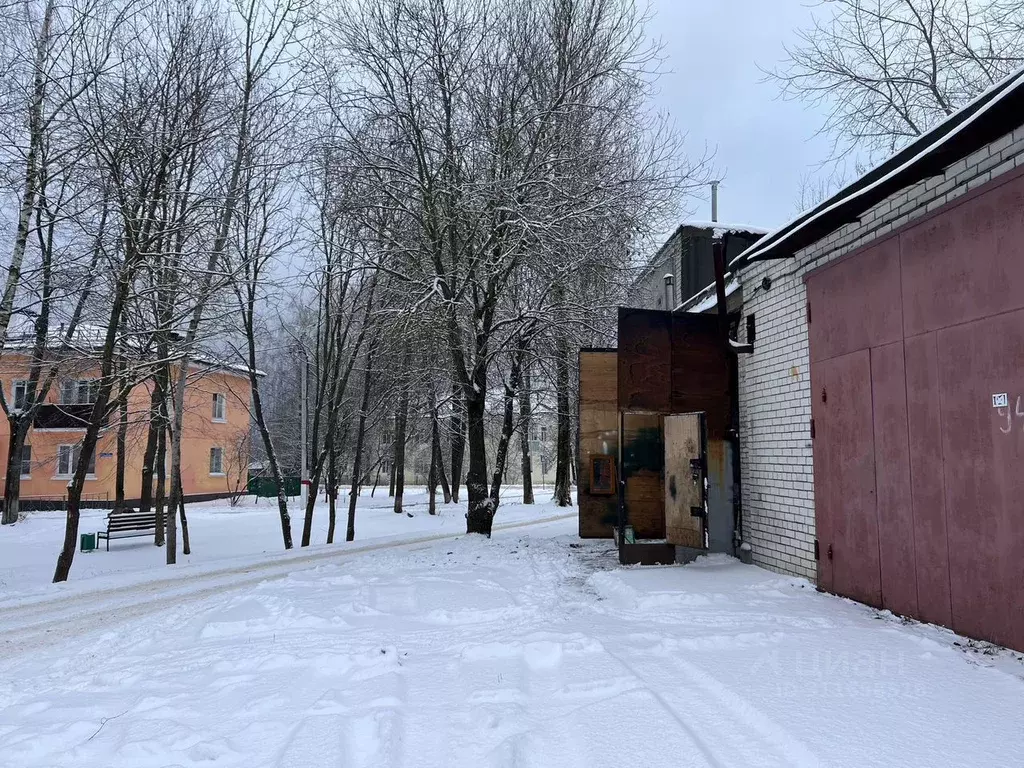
(916, 344)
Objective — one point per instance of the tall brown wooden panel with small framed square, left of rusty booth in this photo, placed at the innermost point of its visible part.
(599, 435)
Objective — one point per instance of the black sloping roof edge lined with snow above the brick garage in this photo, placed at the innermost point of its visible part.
(956, 138)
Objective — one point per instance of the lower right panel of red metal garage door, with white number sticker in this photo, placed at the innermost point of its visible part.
(984, 452)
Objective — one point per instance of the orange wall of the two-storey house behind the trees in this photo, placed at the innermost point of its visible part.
(200, 434)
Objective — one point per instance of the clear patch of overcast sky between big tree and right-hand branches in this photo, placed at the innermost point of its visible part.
(714, 93)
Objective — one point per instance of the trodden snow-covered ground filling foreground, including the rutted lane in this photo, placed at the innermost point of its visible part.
(531, 650)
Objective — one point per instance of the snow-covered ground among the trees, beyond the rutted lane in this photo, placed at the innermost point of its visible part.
(221, 533)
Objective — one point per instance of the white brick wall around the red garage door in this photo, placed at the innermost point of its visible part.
(775, 382)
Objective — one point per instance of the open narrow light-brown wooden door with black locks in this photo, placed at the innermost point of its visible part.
(685, 482)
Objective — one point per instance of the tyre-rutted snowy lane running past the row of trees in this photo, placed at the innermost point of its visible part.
(32, 626)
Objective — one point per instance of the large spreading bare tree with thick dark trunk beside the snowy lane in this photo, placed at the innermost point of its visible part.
(515, 126)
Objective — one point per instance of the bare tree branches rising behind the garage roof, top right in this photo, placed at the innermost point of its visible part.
(886, 71)
